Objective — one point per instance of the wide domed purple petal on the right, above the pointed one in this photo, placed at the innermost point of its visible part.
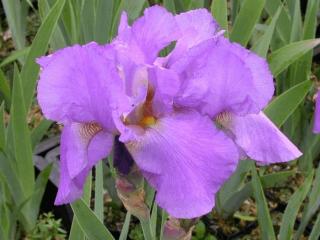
(221, 76)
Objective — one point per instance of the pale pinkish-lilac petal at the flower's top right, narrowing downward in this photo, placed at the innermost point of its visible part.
(195, 26)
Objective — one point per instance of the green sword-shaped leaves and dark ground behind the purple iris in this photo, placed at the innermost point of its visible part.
(276, 202)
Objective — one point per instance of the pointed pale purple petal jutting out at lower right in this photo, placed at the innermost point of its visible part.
(261, 140)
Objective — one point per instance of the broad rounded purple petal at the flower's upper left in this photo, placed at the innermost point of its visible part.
(76, 85)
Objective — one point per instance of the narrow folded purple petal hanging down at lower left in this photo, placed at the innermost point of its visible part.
(79, 153)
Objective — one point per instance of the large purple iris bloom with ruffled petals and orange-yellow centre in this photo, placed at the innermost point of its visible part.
(186, 118)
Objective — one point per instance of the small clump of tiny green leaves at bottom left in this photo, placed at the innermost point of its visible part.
(47, 228)
